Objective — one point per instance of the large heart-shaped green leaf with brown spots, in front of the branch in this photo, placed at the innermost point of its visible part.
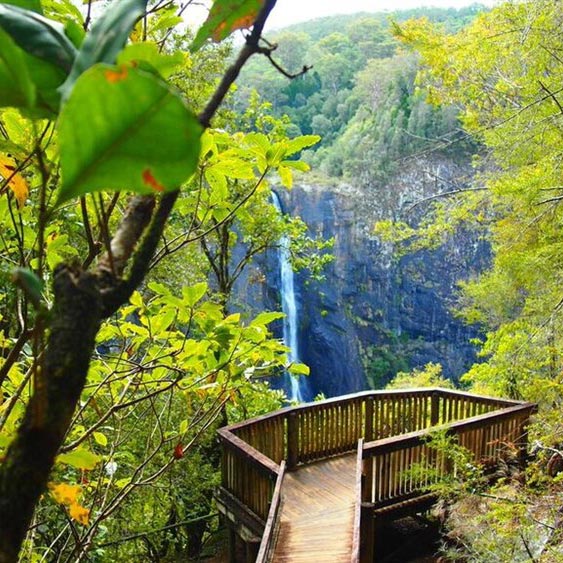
(151, 144)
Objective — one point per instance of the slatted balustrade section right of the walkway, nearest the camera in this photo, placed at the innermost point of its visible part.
(400, 467)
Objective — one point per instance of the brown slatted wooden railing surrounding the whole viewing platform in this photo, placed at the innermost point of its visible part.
(395, 426)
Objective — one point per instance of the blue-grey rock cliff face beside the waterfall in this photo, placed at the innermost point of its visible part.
(375, 314)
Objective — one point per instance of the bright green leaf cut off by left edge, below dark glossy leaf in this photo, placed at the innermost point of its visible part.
(16, 88)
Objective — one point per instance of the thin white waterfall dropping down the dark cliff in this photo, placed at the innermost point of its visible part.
(295, 386)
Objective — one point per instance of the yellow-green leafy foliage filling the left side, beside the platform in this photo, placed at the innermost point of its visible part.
(119, 354)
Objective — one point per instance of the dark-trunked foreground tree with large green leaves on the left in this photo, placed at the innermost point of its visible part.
(56, 77)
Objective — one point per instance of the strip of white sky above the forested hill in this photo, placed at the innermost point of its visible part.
(287, 12)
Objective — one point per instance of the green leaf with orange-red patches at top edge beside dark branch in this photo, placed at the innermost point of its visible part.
(226, 16)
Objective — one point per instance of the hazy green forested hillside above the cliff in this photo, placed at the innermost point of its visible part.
(360, 94)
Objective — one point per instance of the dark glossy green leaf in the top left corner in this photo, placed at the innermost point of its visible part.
(38, 36)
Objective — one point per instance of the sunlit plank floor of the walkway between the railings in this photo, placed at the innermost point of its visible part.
(317, 515)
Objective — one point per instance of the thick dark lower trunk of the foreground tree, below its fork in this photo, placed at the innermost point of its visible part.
(23, 476)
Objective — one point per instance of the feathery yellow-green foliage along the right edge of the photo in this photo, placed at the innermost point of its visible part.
(503, 74)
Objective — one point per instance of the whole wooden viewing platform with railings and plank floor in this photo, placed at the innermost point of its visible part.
(310, 483)
